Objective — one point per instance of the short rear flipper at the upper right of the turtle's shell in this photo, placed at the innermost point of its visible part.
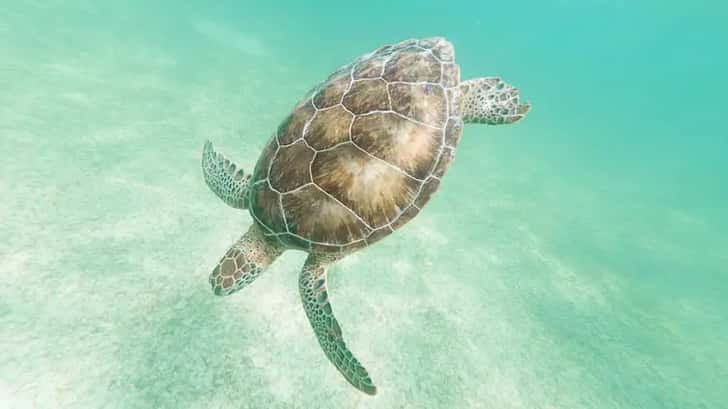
(491, 101)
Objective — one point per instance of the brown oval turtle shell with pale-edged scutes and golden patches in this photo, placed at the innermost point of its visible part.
(363, 152)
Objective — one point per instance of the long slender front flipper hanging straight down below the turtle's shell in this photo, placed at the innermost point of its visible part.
(312, 285)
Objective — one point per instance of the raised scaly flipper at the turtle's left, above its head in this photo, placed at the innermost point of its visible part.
(221, 176)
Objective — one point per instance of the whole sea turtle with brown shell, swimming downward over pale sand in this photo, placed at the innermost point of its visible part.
(357, 158)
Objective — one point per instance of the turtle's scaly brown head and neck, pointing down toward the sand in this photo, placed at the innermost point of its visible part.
(243, 262)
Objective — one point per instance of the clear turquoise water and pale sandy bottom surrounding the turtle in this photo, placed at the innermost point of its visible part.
(574, 260)
